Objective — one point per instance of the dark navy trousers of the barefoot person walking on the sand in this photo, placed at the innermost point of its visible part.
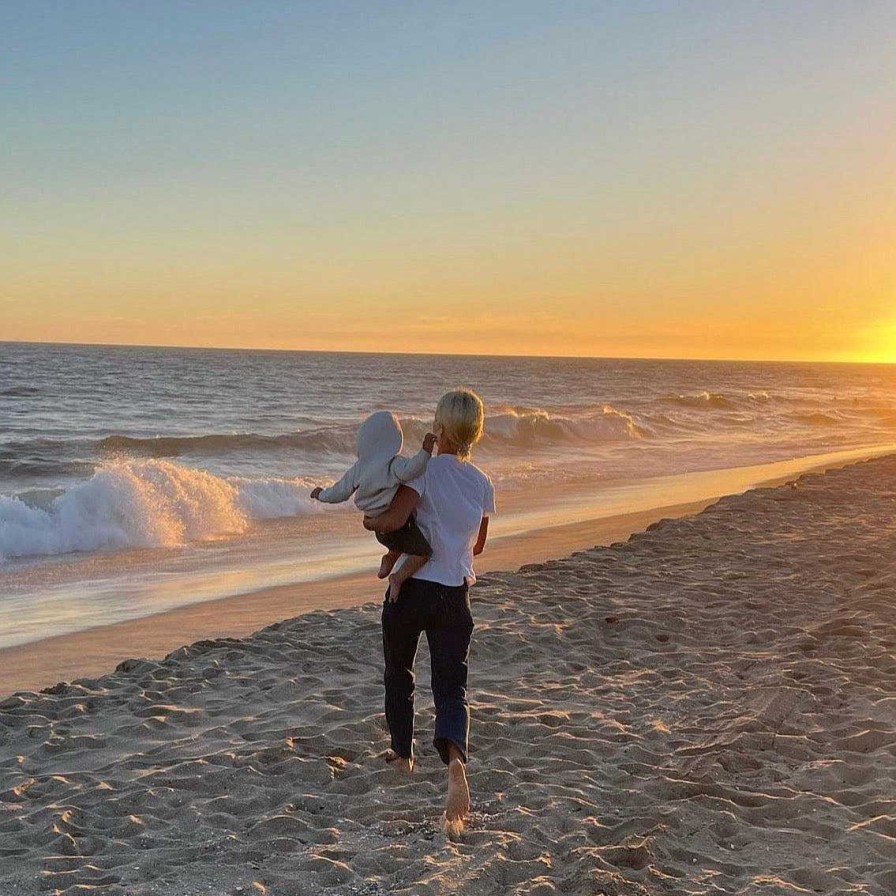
(442, 612)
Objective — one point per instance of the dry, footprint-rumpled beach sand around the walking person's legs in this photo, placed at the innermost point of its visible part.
(709, 707)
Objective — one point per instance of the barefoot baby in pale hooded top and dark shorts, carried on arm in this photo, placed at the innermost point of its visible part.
(374, 479)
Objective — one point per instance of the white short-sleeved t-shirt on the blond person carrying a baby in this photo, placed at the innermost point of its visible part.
(454, 497)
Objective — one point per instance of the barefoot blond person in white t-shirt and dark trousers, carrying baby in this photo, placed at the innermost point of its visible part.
(453, 500)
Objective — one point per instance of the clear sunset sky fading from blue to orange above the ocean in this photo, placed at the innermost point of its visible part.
(710, 179)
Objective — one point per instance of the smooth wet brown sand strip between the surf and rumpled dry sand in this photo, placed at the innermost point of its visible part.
(94, 651)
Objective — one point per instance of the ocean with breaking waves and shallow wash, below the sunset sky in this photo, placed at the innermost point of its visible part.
(135, 479)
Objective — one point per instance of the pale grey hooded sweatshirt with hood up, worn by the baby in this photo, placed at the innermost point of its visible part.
(380, 468)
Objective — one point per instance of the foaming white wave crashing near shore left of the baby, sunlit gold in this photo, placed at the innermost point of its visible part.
(144, 504)
